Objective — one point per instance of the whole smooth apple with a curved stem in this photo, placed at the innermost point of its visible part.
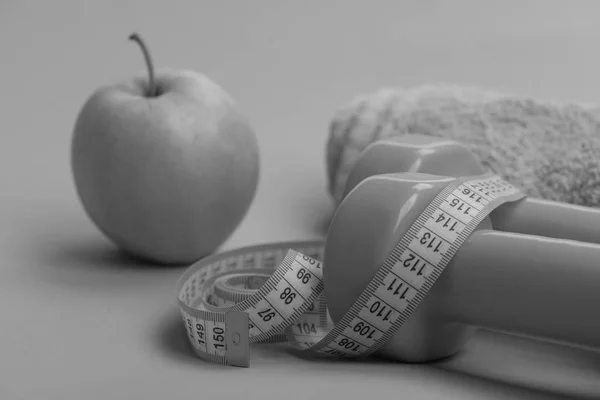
(164, 164)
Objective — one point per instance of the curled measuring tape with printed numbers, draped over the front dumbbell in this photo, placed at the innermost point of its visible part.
(274, 292)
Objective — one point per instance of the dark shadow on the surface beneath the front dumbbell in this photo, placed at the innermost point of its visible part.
(492, 362)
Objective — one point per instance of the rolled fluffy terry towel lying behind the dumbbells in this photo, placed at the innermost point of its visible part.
(549, 149)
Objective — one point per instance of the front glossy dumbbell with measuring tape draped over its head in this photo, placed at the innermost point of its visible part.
(525, 284)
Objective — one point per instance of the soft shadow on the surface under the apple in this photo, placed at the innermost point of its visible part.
(69, 254)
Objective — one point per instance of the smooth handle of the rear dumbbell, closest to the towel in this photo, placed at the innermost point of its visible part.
(548, 218)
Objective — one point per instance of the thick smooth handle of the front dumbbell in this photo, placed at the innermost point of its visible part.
(528, 285)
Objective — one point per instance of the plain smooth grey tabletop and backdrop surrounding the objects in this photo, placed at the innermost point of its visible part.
(79, 320)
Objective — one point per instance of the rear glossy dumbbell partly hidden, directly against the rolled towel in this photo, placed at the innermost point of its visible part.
(426, 154)
